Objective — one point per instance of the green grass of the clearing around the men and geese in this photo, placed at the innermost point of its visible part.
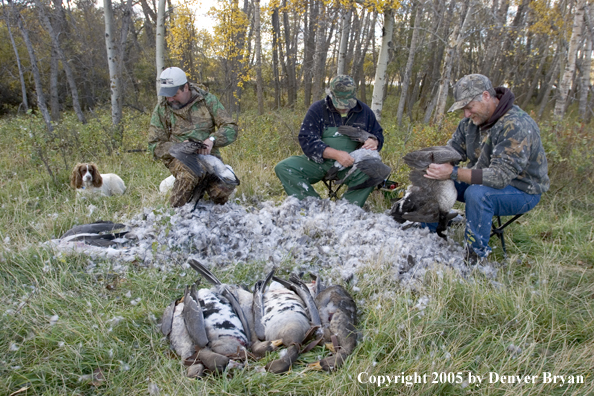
(537, 316)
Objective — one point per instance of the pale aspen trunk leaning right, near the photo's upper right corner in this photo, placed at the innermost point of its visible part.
(576, 35)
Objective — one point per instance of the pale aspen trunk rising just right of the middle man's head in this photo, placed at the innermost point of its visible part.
(377, 99)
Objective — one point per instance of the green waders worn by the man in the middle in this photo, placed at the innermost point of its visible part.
(298, 173)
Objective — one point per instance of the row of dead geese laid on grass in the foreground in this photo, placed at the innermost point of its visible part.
(212, 328)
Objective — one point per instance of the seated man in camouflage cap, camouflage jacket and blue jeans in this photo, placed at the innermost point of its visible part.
(507, 166)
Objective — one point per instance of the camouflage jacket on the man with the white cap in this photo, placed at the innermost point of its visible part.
(198, 120)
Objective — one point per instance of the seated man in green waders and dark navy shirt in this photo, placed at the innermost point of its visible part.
(323, 145)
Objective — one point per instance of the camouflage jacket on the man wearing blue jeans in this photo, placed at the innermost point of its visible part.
(509, 153)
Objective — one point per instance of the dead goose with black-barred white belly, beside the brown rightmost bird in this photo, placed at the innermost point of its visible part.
(280, 315)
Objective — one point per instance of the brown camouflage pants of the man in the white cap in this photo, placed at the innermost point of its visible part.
(187, 185)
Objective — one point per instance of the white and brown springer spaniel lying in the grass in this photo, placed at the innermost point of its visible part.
(86, 179)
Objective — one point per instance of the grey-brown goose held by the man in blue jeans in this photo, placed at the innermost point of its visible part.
(428, 200)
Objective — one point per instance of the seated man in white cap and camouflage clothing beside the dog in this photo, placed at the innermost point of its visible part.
(185, 112)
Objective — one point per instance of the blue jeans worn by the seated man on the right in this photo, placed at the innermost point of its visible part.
(482, 203)
